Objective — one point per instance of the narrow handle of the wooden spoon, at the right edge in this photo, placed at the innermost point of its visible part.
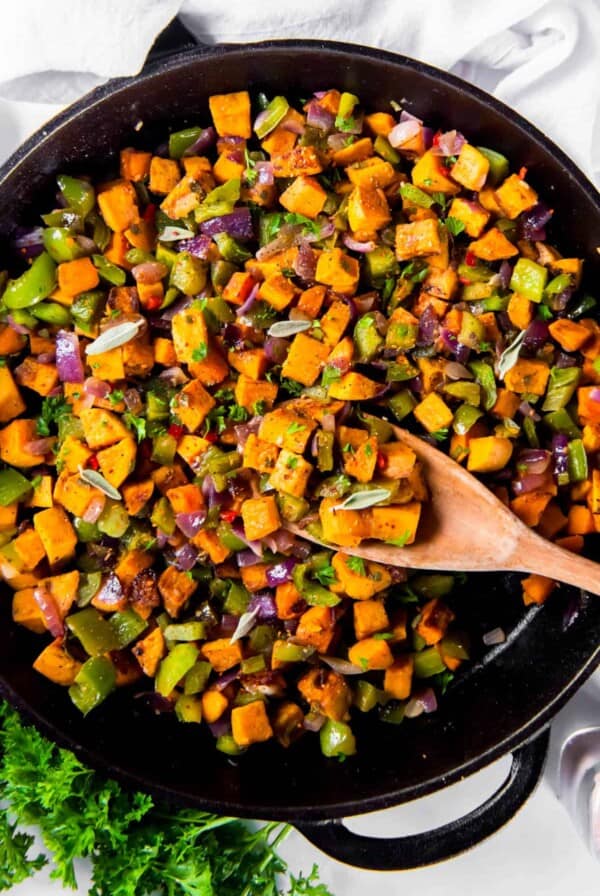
(535, 554)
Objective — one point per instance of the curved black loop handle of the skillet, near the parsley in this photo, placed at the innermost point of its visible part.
(418, 850)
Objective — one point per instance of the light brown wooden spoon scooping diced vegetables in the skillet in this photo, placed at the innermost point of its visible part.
(465, 527)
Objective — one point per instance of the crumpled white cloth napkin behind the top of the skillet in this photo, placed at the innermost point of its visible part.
(540, 57)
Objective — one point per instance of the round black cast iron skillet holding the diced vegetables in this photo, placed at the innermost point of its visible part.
(506, 699)
